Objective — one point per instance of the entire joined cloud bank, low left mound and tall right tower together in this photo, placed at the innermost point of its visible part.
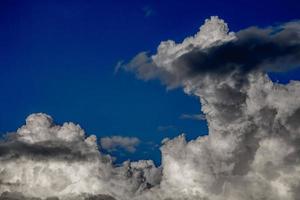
(252, 151)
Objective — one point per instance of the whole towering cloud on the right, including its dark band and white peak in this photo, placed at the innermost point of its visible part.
(252, 146)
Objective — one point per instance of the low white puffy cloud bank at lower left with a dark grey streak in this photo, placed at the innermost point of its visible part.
(43, 159)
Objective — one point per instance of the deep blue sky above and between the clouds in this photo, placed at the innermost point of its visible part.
(58, 57)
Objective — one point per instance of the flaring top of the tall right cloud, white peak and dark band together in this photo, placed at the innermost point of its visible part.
(215, 50)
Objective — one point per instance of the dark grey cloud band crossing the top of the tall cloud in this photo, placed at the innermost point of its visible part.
(268, 49)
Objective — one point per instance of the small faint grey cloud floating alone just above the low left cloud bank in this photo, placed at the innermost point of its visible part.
(112, 143)
